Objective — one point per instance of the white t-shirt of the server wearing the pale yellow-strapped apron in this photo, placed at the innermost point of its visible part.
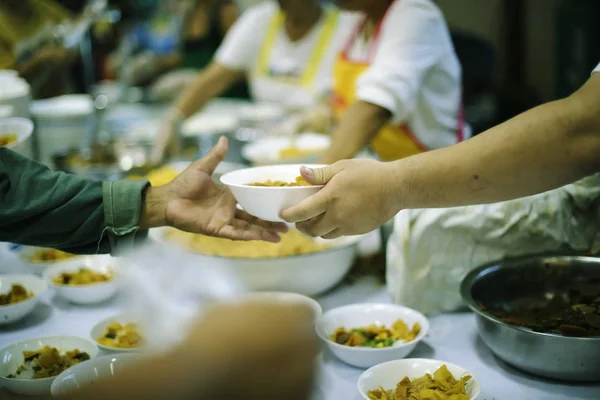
(242, 46)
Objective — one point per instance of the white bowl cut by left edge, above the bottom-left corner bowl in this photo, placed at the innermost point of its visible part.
(17, 311)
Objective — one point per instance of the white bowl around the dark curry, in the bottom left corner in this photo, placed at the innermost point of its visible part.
(11, 358)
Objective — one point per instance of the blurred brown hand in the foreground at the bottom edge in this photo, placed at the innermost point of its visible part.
(267, 352)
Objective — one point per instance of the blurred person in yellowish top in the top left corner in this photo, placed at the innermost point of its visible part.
(28, 44)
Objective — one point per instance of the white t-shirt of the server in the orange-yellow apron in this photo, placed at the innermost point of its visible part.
(414, 72)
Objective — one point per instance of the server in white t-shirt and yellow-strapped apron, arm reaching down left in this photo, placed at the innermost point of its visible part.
(286, 51)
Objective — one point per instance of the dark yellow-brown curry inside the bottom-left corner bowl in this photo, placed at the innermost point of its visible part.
(47, 362)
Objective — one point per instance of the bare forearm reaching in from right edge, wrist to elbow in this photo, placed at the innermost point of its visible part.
(542, 149)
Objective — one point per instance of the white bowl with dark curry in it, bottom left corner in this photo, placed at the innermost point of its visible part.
(17, 362)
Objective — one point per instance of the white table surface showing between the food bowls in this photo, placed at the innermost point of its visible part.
(453, 338)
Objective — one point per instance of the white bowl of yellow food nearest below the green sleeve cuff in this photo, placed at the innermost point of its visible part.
(92, 280)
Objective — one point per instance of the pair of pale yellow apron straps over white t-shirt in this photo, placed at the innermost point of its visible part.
(327, 32)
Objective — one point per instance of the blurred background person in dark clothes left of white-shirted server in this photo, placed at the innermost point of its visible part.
(179, 34)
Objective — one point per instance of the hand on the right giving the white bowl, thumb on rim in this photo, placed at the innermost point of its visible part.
(357, 198)
